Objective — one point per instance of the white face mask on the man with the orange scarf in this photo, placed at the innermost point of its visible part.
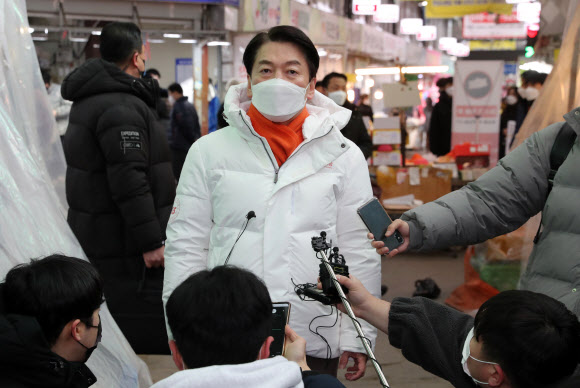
(278, 100)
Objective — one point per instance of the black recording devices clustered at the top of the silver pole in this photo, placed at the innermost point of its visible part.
(328, 295)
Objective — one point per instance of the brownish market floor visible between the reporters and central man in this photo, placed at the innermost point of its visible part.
(399, 273)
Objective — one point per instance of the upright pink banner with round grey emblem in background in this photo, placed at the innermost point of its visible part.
(476, 103)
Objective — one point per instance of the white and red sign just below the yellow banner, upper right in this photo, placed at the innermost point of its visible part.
(486, 26)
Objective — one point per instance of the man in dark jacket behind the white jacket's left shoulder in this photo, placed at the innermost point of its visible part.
(185, 128)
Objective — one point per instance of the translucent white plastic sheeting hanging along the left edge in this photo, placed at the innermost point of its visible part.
(32, 201)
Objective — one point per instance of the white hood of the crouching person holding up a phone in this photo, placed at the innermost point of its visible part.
(272, 372)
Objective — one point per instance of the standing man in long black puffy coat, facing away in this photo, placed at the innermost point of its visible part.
(119, 184)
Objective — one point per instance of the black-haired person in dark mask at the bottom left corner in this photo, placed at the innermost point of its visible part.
(49, 323)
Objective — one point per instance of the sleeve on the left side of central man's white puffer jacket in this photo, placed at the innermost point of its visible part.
(189, 226)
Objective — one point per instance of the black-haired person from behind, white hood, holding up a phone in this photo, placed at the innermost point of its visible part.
(221, 320)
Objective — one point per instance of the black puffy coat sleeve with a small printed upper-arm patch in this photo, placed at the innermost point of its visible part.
(123, 136)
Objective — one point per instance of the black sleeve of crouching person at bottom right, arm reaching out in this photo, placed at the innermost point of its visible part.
(431, 335)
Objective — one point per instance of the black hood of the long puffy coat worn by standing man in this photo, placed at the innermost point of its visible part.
(97, 76)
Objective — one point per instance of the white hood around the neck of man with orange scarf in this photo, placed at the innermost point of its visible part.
(321, 108)
